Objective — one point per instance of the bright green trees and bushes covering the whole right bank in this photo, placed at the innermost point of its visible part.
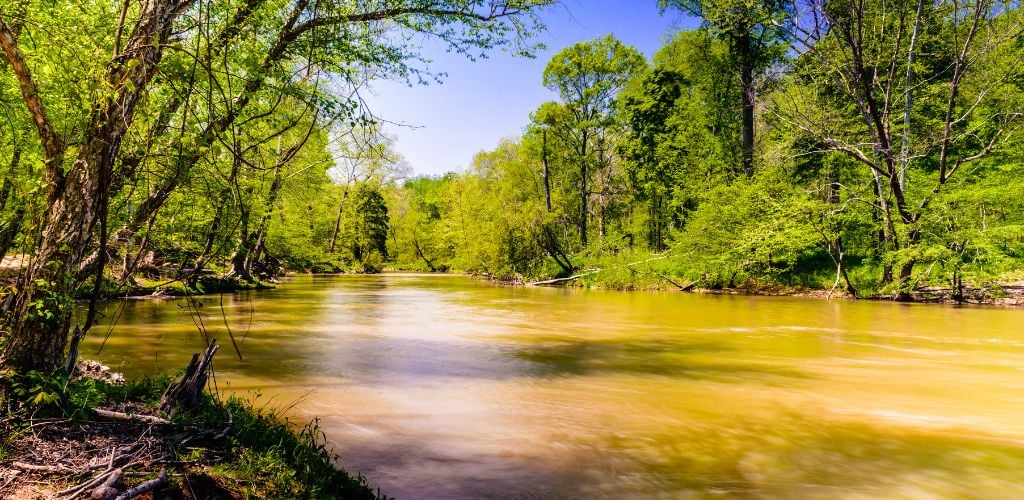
(644, 161)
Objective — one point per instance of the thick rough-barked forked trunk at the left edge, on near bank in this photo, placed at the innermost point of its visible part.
(42, 308)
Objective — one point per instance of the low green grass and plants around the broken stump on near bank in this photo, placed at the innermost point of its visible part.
(263, 454)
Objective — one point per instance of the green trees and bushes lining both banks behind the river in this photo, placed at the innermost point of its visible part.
(870, 148)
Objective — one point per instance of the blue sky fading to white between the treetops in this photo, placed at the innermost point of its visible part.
(440, 128)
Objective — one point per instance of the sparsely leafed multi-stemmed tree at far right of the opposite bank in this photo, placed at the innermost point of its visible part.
(852, 90)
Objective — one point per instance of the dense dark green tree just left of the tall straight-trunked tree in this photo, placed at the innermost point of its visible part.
(680, 133)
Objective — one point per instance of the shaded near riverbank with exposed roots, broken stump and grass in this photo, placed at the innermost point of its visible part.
(227, 449)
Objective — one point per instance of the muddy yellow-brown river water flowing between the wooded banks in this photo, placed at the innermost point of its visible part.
(439, 387)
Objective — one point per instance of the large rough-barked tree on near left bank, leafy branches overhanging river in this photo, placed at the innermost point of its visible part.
(121, 77)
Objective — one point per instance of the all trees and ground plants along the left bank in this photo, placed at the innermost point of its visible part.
(148, 143)
